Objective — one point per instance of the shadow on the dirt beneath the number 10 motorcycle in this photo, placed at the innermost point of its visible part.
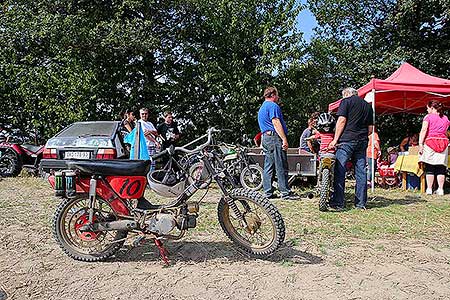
(191, 251)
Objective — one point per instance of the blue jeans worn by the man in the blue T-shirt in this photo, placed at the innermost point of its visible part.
(274, 158)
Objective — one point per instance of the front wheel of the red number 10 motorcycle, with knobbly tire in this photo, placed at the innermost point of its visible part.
(248, 203)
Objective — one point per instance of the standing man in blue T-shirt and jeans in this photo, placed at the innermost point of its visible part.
(274, 144)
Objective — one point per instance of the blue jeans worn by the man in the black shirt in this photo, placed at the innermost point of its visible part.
(356, 151)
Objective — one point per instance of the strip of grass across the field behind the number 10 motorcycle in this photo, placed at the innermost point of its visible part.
(391, 214)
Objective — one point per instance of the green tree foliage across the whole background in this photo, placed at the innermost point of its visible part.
(207, 61)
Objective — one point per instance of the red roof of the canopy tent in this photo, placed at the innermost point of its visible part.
(406, 90)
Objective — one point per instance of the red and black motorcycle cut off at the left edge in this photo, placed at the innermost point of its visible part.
(15, 154)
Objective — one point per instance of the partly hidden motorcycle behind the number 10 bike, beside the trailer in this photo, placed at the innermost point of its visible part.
(238, 164)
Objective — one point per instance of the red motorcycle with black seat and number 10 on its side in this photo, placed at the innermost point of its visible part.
(103, 201)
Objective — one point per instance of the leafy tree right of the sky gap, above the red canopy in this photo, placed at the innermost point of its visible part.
(357, 40)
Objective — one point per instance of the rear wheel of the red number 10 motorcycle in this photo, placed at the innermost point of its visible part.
(71, 241)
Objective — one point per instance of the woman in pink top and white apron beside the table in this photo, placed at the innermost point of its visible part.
(433, 146)
